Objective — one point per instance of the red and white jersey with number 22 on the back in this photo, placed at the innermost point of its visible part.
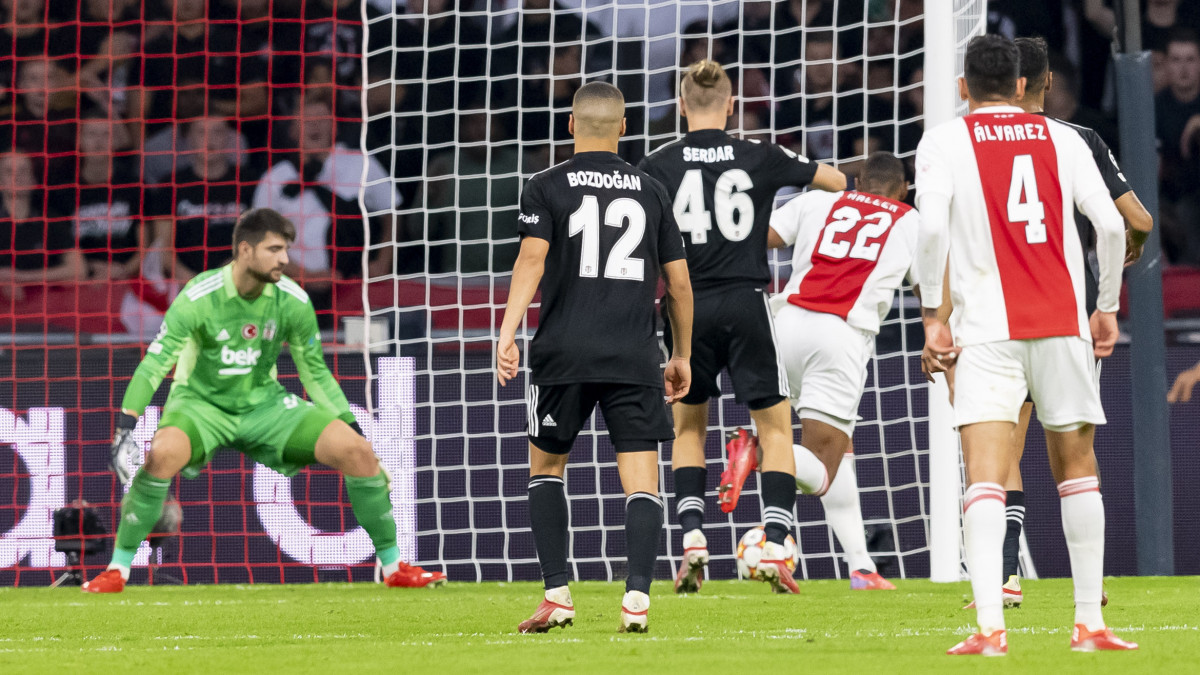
(853, 252)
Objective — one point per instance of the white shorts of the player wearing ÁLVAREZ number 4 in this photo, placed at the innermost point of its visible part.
(1060, 374)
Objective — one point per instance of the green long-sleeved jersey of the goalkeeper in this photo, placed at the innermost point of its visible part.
(224, 348)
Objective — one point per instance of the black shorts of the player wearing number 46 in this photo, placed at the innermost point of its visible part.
(734, 328)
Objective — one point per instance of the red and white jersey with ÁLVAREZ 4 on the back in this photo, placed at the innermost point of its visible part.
(1017, 264)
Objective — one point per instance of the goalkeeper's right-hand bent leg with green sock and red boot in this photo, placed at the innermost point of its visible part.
(370, 491)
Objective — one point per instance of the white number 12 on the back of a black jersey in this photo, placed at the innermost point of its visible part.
(586, 220)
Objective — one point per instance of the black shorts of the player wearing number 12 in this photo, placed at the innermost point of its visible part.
(638, 416)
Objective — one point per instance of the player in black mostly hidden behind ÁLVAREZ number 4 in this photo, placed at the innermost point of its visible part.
(1039, 81)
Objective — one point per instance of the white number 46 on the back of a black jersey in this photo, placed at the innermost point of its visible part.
(734, 207)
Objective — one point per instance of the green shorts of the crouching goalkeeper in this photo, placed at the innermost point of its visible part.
(281, 434)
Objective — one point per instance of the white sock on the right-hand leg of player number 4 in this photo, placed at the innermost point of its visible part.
(1083, 522)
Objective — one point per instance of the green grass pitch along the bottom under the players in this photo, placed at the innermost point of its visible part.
(730, 628)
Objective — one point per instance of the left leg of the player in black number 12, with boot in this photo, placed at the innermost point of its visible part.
(549, 522)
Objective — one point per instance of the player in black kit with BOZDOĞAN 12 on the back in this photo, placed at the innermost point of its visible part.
(597, 232)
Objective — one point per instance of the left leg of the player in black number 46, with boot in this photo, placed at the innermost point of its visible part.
(691, 480)
